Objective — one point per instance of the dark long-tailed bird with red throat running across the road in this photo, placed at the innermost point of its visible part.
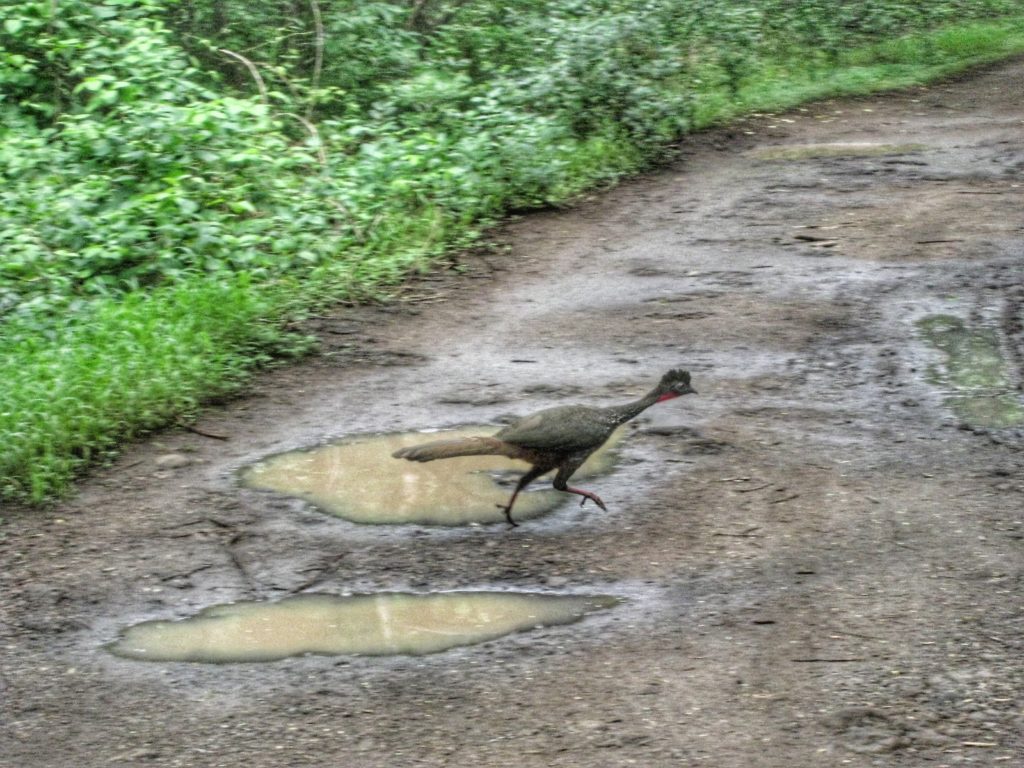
(560, 438)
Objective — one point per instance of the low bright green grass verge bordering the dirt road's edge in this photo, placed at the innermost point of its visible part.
(71, 395)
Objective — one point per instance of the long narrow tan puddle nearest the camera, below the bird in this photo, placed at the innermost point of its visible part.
(390, 624)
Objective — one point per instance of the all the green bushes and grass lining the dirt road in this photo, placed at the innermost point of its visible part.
(182, 182)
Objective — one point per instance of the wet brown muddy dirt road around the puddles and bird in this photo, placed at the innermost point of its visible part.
(821, 556)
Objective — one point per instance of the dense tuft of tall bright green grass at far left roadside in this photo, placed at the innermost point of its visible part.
(118, 368)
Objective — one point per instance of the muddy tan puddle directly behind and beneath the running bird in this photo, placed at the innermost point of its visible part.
(360, 481)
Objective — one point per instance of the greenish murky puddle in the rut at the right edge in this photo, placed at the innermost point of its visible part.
(975, 374)
